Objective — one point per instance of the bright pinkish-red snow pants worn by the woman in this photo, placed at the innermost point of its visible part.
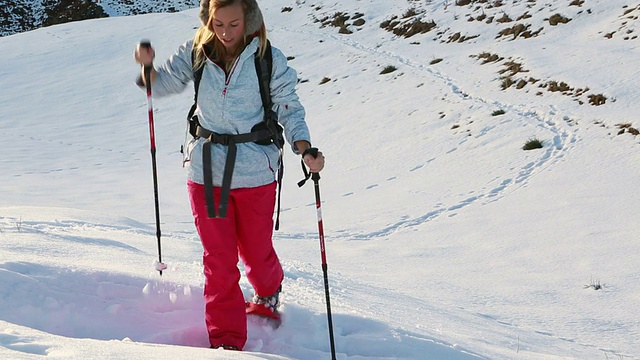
(245, 232)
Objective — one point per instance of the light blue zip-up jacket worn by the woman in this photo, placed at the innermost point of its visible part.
(231, 104)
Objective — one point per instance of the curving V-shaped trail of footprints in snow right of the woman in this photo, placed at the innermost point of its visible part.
(563, 139)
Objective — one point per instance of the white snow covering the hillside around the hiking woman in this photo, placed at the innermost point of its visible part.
(444, 239)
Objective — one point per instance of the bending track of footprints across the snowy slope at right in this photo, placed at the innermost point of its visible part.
(561, 134)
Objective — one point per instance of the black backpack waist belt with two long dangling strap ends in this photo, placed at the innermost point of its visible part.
(229, 140)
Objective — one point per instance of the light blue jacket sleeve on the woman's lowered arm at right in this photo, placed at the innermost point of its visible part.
(291, 113)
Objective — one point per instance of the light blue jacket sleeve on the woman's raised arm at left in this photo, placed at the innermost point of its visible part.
(175, 73)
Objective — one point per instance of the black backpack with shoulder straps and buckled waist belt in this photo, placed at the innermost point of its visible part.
(266, 132)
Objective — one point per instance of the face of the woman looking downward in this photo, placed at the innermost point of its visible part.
(228, 25)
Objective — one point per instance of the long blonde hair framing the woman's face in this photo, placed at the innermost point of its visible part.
(206, 37)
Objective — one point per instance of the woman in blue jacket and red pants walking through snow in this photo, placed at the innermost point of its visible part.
(229, 103)
